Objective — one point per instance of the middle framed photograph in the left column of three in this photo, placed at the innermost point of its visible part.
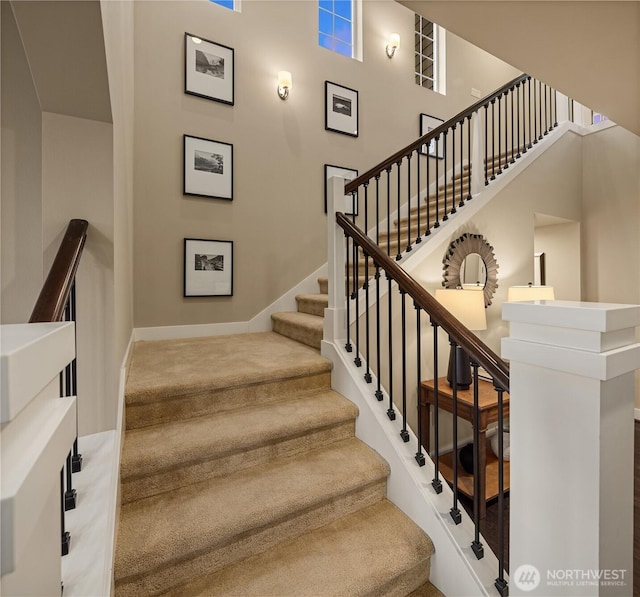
(208, 168)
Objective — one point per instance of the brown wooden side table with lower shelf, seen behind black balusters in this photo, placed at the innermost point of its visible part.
(488, 406)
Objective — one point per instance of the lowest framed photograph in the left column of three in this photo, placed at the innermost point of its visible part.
(208, 267)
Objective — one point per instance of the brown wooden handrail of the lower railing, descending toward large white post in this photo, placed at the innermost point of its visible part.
(477, 350)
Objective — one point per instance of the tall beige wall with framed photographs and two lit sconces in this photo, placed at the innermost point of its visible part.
(280, 148)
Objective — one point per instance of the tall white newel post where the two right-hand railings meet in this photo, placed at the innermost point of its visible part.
(335, 314)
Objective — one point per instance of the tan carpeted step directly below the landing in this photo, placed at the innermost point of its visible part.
(166, 457)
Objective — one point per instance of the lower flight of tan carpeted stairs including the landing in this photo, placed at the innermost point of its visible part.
(241, 475)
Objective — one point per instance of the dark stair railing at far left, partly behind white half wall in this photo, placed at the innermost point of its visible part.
(57, 302)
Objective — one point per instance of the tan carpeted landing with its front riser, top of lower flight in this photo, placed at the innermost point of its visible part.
(179, 379)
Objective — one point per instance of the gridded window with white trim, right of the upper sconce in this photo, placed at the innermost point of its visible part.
(429, 51)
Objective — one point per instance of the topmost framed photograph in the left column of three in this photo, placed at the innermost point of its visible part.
(208, 69)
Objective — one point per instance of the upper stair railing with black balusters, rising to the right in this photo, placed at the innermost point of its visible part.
(422, 185)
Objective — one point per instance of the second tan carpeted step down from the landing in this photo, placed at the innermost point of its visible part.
(167, 540)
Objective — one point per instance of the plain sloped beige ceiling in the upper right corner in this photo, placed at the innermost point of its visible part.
(589, 51)
